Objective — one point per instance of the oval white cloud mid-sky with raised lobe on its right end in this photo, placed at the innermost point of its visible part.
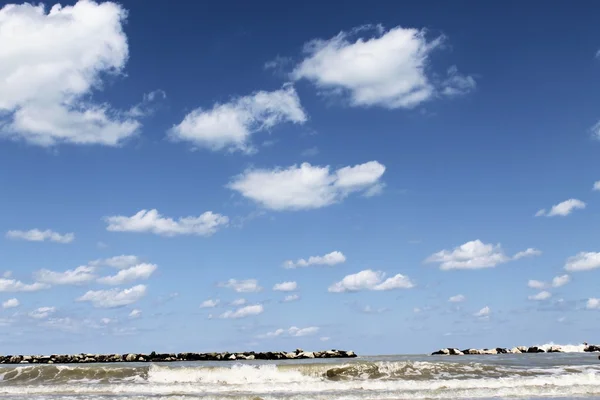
(305, 187)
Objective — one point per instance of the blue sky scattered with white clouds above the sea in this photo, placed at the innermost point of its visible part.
(227, 176)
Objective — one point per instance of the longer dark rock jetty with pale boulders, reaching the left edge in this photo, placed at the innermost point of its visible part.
(172, 357)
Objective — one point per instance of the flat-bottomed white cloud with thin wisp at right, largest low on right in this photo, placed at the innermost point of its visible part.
(475, 255)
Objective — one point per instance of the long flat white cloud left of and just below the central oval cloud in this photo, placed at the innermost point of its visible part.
(151, 221)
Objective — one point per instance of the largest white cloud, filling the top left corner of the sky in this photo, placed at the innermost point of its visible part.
(52, 63)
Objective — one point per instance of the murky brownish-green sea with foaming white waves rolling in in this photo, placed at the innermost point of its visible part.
(395, 377)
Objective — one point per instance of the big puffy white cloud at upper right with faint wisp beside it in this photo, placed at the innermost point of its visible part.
(385, 69)
